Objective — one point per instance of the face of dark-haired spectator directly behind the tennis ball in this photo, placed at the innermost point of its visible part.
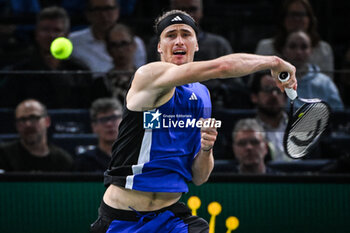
(47, 30)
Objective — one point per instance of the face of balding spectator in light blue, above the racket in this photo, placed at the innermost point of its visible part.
(298, 49)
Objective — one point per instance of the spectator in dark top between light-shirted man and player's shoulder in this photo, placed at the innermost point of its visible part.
(121, 47)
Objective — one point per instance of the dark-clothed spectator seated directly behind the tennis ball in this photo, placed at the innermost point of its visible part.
(53, 90)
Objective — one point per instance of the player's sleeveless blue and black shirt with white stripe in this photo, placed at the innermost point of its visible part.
(159, 158)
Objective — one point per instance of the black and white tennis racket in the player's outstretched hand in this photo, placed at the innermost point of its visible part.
(305, 125)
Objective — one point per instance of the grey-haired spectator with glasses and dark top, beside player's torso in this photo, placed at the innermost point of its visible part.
(106, 116)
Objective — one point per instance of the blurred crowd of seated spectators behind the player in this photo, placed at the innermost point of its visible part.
(41, 95)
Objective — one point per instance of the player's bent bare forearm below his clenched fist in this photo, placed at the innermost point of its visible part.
(202, 166)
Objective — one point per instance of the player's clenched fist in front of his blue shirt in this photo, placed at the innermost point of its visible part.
(208, 134)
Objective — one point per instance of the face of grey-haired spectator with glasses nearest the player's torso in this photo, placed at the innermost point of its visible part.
(106, 125)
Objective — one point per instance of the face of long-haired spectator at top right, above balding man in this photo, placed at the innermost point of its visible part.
(296, 18)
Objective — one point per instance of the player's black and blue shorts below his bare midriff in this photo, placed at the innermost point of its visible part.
(174, 218)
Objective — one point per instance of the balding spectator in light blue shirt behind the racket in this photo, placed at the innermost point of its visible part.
(311, 83)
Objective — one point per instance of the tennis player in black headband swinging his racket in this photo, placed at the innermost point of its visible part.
(150, 168)
